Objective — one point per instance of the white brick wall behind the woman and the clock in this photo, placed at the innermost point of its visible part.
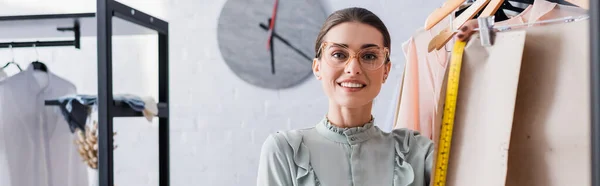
(218, 122)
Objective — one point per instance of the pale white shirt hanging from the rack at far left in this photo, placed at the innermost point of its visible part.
(36, 145)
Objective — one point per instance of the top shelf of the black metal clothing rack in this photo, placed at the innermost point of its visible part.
(45, 25)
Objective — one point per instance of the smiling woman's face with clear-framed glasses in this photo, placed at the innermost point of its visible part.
(352, 82)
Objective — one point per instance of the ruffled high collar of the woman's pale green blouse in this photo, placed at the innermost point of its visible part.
(350, 135)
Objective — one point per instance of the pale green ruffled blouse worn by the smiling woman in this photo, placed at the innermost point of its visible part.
(331, 156)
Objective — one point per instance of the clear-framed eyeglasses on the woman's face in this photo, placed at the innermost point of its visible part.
(338, 55)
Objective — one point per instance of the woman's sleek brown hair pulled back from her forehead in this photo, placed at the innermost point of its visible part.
(356, 14)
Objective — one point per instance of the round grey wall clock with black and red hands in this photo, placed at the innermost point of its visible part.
(280, 62)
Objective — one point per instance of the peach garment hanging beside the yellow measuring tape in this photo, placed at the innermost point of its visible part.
(423, 79)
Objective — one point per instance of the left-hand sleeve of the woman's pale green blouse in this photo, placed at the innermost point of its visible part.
(273, 167)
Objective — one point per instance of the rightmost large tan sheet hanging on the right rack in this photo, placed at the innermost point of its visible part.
(550, 142)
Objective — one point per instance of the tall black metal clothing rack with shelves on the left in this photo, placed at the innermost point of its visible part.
(125, 20)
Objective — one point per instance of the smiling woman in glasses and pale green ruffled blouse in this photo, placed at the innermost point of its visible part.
(346, 148)
